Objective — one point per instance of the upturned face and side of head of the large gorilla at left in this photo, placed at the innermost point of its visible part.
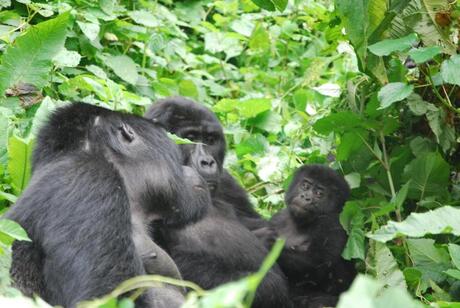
(148, 163)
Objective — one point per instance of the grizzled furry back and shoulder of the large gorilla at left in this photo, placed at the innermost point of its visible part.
(77, 213)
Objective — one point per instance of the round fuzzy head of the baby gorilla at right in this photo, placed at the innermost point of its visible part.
(316, 190)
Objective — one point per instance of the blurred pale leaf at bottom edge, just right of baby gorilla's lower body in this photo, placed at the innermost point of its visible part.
(366, 292)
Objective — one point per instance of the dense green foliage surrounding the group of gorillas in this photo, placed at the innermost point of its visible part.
(370, 87)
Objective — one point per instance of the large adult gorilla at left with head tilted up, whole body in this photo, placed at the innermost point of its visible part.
(99, 178)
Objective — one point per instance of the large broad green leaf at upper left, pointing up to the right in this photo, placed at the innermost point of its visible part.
(29, 60)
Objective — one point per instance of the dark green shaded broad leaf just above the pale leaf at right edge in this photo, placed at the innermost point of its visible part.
(429, 176)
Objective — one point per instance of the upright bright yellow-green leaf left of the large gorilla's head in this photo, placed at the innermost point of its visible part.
(19, 164)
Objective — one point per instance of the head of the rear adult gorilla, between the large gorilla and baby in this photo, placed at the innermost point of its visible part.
(190, 120)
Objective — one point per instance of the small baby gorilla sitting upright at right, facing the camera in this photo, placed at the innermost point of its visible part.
(314, 237)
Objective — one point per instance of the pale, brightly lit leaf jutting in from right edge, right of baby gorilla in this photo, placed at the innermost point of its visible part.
(442, 220)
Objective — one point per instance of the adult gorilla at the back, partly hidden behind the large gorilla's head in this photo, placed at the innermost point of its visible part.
(188, 119)
